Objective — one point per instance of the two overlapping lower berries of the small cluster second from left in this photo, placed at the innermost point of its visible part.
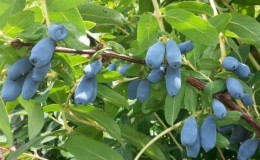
(84, 91)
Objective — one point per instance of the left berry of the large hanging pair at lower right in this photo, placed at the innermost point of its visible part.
(189, 132)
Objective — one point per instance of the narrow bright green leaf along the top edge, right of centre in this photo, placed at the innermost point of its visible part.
(191, 6)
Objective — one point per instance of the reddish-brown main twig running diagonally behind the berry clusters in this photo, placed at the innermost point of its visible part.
(191, 80)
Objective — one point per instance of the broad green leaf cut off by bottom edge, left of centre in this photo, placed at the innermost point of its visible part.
(82, 147)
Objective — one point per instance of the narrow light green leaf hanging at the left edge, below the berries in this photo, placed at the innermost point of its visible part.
(5, 124)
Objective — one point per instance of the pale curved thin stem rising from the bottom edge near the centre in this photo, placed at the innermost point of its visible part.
(156, 138)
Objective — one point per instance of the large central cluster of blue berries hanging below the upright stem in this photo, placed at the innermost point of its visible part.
(140, 89)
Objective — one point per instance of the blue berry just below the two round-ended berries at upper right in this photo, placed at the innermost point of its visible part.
(234, 88)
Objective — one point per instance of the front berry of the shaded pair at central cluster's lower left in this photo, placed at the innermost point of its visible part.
(143, 90)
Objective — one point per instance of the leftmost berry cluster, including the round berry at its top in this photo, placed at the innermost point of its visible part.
(25, 76)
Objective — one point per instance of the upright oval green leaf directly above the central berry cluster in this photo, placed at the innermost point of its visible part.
(147, 31)
